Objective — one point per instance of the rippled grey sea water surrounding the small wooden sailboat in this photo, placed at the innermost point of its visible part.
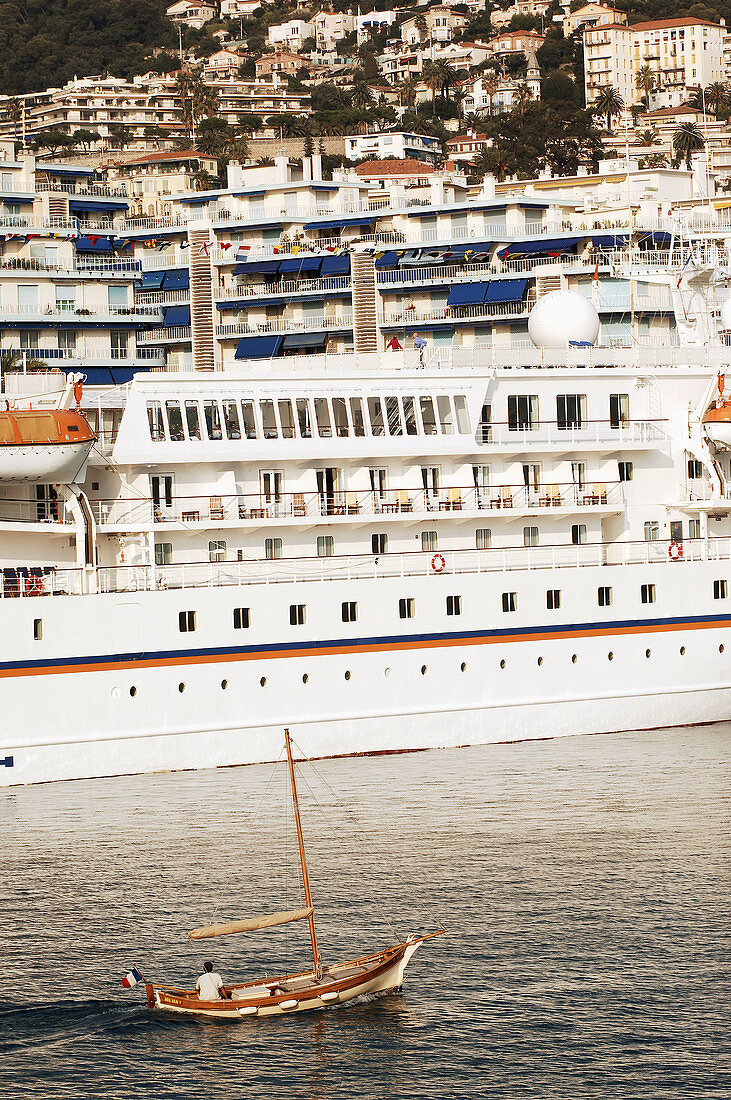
(583, 884)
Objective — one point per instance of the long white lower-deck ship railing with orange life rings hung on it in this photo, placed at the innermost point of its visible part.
(415, 564)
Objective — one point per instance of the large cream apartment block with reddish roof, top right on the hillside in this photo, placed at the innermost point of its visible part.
(682, 54)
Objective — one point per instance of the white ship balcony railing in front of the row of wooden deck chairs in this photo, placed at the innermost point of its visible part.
(215, 511)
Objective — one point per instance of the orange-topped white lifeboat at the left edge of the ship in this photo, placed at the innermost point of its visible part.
(41, 446)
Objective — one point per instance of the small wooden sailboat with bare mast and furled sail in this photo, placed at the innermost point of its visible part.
(317, 988)
